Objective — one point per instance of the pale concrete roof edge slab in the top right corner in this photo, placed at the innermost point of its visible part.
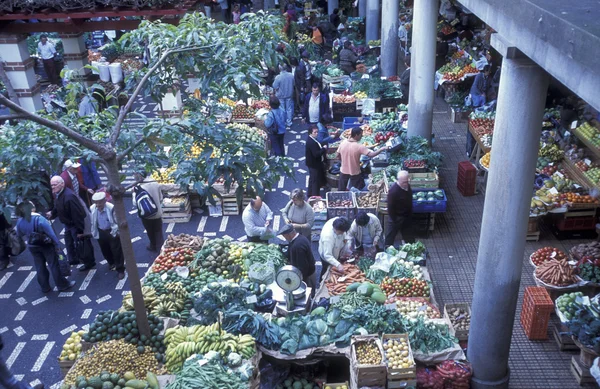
(562, 37)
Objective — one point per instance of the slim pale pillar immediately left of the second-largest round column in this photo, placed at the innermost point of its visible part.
(389, 38)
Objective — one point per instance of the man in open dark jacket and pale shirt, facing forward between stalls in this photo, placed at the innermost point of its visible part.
(316, 112)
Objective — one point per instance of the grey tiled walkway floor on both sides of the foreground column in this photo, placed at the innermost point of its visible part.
(453, 247)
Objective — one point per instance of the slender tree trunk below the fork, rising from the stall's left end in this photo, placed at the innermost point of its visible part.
(117, 191)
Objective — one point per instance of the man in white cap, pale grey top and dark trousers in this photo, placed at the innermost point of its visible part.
(106, 230)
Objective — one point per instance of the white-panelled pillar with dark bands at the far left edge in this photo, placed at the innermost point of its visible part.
(19, 67)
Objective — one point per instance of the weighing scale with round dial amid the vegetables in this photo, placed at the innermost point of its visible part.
(289, 291)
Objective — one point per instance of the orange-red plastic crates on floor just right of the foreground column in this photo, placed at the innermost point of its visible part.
(535, 314)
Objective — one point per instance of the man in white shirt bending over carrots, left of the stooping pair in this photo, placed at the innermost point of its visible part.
(332, 241)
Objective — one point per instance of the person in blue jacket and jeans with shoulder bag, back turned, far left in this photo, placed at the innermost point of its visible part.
(43, 245)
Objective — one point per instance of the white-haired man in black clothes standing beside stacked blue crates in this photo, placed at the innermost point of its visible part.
(399, 209)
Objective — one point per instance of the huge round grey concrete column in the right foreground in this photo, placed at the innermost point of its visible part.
(521, 98)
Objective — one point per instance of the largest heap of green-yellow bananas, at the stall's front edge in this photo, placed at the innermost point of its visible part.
(182, 342)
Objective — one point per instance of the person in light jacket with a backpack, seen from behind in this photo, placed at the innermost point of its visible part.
(149, 208)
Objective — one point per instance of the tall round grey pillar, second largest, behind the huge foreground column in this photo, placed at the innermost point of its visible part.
(422, 68)
